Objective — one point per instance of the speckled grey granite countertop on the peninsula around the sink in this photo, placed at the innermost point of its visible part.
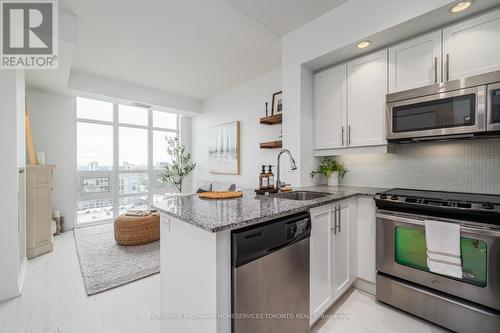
(218, 215)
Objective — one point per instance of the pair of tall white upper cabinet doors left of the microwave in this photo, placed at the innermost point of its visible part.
(349, 103)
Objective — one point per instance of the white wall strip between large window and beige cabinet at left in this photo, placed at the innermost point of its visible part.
(53, 126)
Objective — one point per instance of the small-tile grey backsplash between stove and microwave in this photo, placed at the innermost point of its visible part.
(463, 166)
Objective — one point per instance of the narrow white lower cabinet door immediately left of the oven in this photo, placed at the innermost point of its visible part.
(366, 239)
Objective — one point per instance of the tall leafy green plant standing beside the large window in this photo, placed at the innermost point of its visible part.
(180, 166)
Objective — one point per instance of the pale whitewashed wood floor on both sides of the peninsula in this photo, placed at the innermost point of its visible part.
(54, 300)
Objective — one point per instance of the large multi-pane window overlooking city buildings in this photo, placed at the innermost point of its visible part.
(121, 151)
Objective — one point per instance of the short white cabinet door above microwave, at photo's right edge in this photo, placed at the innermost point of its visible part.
(472, 47)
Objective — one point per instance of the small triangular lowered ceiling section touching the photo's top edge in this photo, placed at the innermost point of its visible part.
(284, 16)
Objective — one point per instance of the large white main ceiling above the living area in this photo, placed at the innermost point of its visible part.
(193, 48)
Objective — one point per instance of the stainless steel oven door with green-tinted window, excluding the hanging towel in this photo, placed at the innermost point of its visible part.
(402, 252)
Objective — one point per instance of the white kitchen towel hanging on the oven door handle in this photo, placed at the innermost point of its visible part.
(443, 248)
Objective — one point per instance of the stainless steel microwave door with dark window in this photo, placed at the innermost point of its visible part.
(450, 113)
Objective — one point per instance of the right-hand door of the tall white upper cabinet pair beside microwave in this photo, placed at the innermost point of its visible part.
(367, 87)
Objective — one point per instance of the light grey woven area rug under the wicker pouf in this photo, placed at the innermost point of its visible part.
(106, 265)
